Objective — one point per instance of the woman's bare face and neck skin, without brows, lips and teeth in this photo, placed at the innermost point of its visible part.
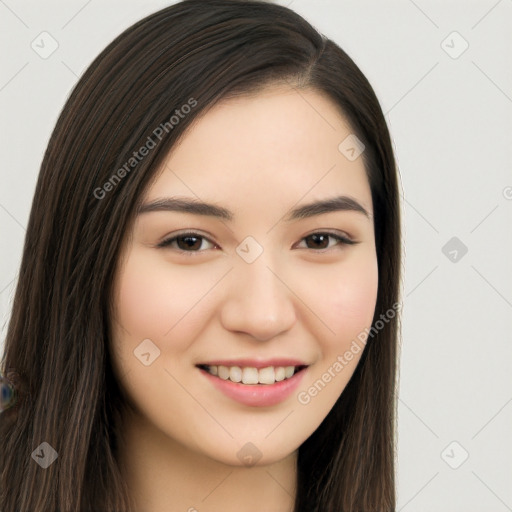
(258, 156)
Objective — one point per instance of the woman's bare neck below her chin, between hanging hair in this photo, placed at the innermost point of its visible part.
(163, 475)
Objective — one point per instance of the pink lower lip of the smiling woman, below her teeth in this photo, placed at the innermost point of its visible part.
(257, 395)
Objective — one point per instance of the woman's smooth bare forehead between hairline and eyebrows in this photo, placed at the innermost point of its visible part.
(280, 144)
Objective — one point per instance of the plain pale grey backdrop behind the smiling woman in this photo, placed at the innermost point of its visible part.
(450, 114)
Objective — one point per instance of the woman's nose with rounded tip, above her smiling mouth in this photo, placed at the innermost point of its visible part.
(258, 302)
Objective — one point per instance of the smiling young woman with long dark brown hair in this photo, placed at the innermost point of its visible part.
(205, 317)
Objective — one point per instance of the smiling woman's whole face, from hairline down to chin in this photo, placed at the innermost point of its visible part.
(257, 288)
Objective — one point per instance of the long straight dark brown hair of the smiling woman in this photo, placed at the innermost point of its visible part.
(56, 351)
